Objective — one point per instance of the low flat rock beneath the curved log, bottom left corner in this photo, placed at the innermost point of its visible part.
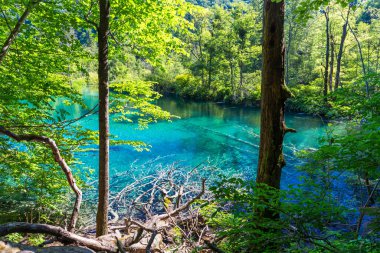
(20, 248)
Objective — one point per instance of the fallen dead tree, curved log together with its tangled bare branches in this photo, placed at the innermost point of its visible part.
(157, 213)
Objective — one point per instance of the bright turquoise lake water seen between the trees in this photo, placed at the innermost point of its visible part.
(221, 134)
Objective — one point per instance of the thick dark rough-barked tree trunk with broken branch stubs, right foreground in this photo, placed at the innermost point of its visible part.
(273, 96)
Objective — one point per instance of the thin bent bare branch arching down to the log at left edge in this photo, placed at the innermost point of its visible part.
(62, 163)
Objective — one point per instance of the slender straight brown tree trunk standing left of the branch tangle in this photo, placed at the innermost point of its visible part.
(103, 30)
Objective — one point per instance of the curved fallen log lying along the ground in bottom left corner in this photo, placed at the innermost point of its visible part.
(62, 234)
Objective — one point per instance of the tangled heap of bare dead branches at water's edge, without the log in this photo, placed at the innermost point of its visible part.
(160, 210)
